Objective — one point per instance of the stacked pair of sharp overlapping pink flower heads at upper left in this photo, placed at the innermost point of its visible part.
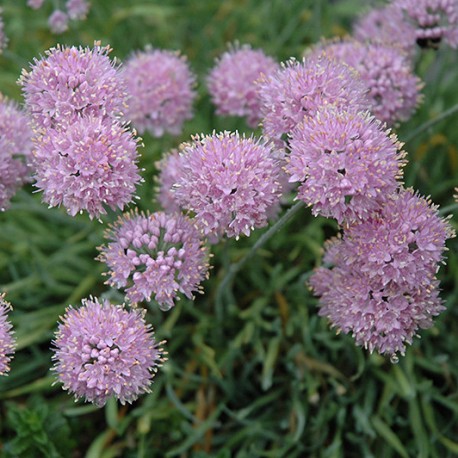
(84, 157)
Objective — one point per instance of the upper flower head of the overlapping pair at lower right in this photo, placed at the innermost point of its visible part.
(402, 242)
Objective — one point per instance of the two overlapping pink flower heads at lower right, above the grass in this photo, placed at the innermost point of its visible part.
(382, 287)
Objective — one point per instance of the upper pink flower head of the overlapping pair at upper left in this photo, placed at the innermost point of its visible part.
(70, 83)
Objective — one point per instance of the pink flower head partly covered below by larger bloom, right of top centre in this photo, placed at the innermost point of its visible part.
(299, 89)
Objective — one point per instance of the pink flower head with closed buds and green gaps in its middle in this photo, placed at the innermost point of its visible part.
(157, 255)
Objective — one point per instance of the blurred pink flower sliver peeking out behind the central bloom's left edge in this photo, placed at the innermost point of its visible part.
(169, 171)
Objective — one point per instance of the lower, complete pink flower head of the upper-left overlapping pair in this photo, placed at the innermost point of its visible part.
(89, 165)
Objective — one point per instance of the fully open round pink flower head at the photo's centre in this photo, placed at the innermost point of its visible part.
(228, 182)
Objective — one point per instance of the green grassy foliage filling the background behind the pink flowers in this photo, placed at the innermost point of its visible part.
(256, 372)
